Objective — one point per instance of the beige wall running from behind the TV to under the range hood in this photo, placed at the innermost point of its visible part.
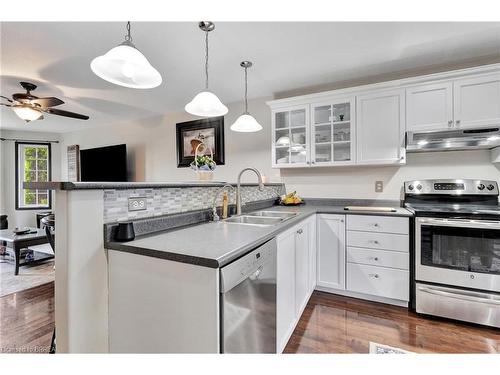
(152, 147)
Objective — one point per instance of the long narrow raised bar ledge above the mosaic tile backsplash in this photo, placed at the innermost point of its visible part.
(66, 185)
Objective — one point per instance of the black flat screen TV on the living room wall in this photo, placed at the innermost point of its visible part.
(104, 164)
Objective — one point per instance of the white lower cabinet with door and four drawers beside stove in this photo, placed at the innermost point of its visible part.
(368, 259)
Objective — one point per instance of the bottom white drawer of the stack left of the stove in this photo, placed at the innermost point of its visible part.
(378, 281)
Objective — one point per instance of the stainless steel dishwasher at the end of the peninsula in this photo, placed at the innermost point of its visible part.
(248, 302)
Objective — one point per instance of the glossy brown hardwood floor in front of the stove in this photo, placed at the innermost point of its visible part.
(337, 324)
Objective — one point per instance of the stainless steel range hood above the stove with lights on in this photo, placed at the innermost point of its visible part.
(455, 139)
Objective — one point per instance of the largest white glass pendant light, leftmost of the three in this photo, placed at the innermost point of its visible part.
(126, 66)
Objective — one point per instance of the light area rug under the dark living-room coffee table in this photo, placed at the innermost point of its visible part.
(29, 276)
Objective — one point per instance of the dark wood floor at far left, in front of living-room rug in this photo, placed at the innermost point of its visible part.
(27, 320)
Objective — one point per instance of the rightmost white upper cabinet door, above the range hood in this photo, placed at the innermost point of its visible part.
(477, 101)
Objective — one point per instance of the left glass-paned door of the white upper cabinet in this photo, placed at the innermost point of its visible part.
(290, 129)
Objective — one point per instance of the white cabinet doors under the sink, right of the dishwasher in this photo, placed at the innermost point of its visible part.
(296, 251)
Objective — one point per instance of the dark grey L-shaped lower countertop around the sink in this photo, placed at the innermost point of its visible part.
(215, 244)
